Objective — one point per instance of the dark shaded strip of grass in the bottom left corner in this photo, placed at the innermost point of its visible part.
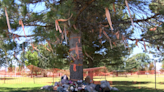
(24, 89)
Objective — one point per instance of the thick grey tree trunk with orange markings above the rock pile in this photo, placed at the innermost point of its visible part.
(76, 68)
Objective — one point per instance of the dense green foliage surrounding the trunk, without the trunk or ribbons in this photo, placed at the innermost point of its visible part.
(88, 17)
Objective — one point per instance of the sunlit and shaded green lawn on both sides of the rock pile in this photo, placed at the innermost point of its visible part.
(143, 83)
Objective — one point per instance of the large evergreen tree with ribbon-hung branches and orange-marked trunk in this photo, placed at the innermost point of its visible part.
(85, 20)
